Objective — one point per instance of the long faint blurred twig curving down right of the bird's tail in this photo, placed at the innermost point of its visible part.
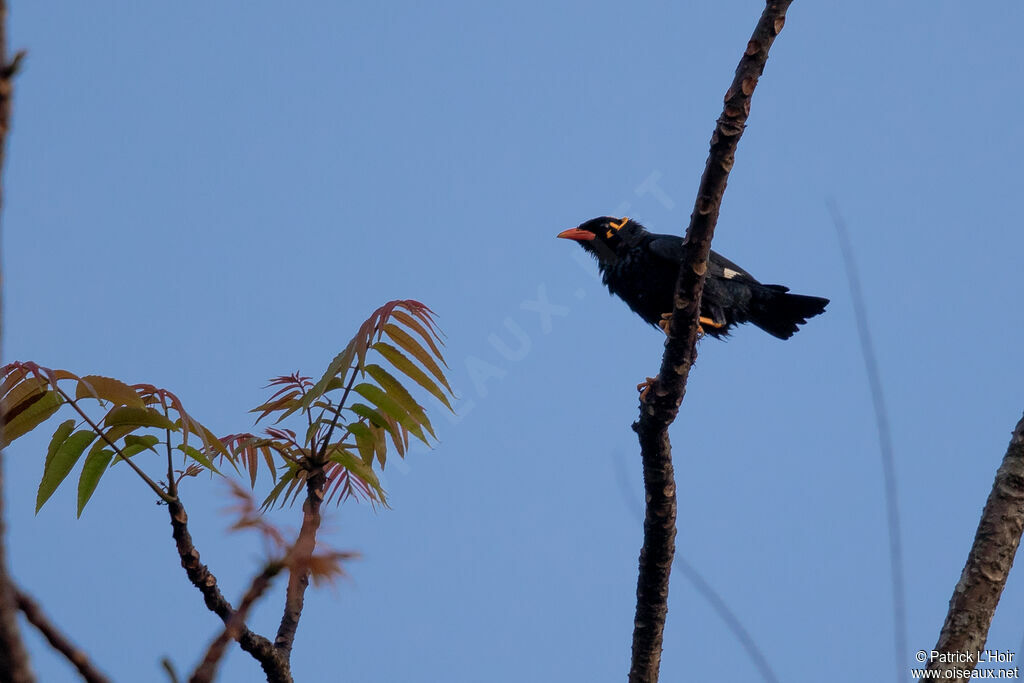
(885, 445)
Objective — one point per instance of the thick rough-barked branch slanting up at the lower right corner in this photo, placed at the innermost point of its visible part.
(977, 593)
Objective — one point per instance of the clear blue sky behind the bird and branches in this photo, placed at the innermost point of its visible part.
(203, 198)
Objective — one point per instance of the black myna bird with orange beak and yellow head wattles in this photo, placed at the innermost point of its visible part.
(642, 269)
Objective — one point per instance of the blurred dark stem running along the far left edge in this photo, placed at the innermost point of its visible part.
(14, 658)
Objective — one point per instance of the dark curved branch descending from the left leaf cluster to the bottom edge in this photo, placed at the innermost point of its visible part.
(261, 649)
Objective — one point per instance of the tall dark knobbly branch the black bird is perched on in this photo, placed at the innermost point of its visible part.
(662, 403)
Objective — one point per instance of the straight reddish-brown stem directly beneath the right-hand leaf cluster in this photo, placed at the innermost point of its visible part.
(298, 578)
